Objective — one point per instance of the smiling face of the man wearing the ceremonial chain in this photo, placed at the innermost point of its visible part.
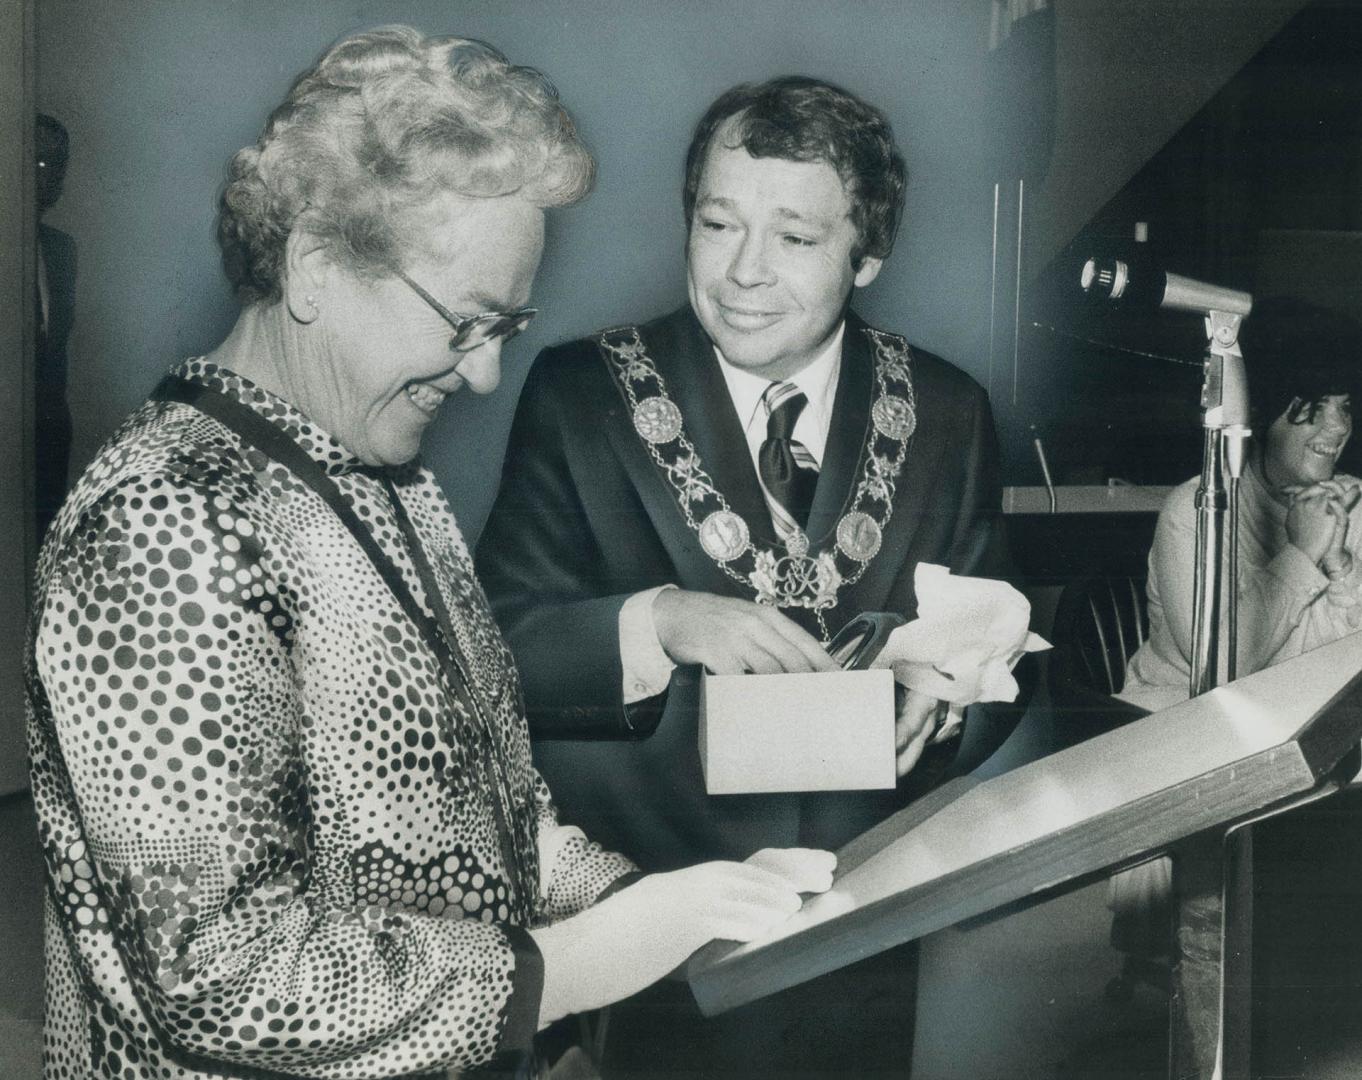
(769, 261)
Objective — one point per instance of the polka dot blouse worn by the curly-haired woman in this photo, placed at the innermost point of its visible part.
(277, 837)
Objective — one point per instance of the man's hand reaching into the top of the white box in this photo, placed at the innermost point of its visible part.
(731, 637)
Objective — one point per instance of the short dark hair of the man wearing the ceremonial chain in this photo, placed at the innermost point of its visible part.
(802, 119)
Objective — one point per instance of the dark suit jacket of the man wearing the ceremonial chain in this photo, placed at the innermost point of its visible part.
(585, 520)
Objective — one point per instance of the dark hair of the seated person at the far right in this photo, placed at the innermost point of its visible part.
(1297, 355)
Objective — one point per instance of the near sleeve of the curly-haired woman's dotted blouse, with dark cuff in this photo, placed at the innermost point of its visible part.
(186, 795)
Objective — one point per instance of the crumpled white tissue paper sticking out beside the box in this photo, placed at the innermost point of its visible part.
(962, 648)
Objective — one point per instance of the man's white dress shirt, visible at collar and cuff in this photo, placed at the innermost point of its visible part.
(646, 667)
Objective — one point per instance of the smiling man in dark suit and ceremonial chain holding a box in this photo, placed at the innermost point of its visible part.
(725, 488)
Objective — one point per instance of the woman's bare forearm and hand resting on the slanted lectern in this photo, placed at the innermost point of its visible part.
(637, 936)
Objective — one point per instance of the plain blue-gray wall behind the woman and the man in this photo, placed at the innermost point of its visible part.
(157, 96)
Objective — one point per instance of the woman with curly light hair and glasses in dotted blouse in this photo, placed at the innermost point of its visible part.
(280, 758)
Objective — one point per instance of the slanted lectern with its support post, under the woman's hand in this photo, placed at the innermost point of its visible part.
(1177, 781)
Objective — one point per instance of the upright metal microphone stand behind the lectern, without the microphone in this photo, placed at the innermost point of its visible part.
(1225, 417)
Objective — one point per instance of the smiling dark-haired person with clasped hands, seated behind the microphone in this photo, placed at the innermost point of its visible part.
(1300, 532)
